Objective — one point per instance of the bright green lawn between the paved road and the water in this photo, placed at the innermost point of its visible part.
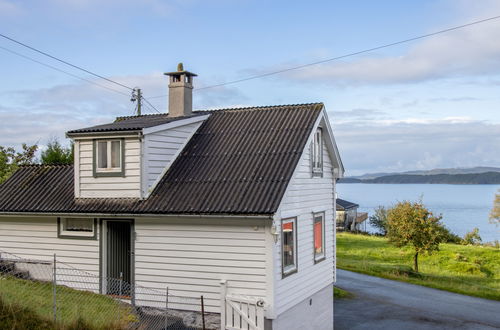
(470, 270)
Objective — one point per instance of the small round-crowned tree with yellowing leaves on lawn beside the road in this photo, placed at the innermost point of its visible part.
(412, 224)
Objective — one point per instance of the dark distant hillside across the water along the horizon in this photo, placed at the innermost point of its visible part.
(473, 178)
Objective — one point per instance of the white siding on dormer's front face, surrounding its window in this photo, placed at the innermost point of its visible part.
(111, 187)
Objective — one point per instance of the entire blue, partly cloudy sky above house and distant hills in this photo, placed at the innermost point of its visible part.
(431, 103)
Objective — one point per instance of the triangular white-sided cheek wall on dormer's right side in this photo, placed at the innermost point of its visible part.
(160, 150)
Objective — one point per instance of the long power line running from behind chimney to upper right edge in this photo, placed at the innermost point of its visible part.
(343, 56)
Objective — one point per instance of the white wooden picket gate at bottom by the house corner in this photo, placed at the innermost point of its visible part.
(241, 312)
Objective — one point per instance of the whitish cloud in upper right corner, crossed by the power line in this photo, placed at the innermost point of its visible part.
(470, 51)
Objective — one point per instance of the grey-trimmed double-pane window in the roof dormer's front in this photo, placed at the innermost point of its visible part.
(108, 157)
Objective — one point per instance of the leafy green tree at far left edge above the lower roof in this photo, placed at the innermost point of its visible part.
(10, 159)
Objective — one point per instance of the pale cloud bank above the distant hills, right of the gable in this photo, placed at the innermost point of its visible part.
(409, 144)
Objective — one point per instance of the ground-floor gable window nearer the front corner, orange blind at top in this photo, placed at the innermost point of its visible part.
(289, 246)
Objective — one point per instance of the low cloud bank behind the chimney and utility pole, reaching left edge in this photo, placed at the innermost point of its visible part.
(34, 116)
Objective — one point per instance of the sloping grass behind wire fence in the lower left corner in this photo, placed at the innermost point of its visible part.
(73, 306)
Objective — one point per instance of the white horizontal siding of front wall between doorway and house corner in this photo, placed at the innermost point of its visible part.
(192, 258)
